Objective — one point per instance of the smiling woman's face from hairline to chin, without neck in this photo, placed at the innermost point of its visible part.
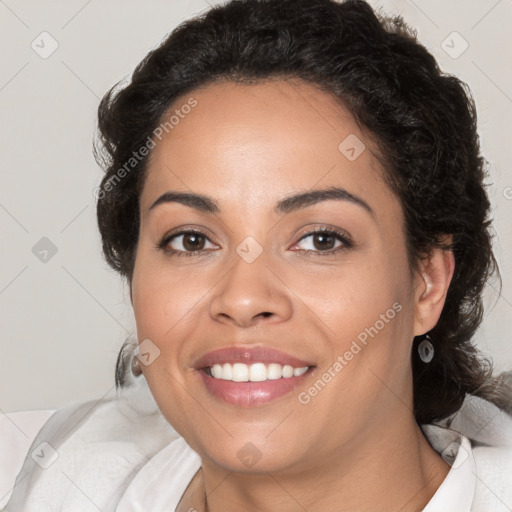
(342, 303)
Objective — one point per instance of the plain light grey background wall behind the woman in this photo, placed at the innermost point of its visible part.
(64, 319)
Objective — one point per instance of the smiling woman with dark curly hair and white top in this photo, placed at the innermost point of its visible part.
(294, 192)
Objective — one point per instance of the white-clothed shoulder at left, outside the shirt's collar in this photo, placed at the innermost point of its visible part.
(91, 451)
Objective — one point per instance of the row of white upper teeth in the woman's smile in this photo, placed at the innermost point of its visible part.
(257, 372)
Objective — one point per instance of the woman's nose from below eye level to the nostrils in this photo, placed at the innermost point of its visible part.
(250, 293)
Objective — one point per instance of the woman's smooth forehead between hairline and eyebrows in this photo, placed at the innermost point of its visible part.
(246, 141)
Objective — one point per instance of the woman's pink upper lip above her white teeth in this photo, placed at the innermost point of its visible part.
(249, 355)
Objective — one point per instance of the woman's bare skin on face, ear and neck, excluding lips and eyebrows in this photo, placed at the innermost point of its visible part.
(355, 445)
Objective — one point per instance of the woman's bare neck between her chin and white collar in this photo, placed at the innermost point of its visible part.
(396, 469)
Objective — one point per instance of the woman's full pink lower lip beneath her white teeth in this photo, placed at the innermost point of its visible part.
(250, 394)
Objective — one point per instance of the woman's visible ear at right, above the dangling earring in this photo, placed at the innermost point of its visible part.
(432, 282)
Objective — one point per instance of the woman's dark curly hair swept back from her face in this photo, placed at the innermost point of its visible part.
(422, 120)
